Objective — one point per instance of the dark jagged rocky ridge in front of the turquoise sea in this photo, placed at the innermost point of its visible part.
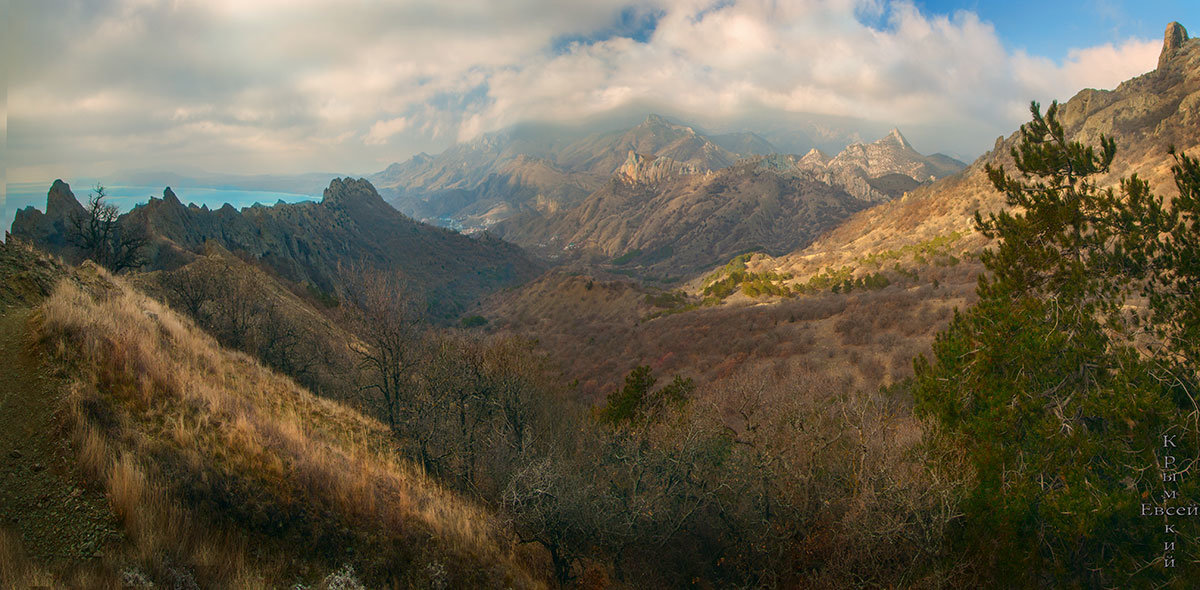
(307, 243)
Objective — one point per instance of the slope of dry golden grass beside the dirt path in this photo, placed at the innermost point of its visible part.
(205, 453)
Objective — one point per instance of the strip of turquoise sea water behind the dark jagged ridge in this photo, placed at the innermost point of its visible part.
(23, 195)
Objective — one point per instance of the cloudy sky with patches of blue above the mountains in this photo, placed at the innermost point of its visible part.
(349, 87)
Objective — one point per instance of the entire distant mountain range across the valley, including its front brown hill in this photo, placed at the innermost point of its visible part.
(671, 198)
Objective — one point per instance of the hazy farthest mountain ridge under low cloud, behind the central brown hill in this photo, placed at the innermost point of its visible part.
(507, 174)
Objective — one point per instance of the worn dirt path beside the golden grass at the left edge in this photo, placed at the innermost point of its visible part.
(43, 498)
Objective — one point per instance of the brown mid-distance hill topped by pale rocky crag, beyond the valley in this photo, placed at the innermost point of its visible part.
(669, 219)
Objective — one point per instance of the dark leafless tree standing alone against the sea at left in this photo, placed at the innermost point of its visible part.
(100, 236)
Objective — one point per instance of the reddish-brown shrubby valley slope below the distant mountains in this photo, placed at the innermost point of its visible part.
(597, 329)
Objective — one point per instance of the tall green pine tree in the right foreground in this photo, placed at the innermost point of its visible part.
(1043, 389)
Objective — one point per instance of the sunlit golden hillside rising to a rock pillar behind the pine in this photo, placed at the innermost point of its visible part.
(1147, 116)
